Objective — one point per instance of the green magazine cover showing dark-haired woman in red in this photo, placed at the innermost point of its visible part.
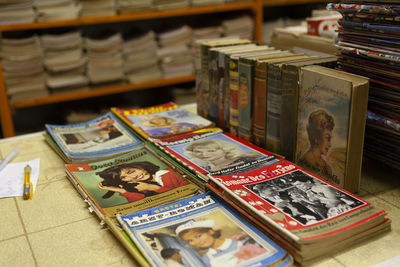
(128, 183)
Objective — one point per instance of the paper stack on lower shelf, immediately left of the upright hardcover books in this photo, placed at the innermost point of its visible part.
(174, 53)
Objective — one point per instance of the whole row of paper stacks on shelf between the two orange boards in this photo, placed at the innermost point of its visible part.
(74, 60)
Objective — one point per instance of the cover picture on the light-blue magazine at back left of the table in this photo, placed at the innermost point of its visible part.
(94, 138)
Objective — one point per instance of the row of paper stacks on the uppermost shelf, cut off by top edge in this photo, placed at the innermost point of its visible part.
(23, 11)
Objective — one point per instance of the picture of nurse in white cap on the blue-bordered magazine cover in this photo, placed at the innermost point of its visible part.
(208, 240)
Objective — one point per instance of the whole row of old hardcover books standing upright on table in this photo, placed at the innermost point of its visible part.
(291, 104)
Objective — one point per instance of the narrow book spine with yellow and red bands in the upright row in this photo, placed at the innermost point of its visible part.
(233, 89)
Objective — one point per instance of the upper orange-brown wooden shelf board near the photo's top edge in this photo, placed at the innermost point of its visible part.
(132, 16)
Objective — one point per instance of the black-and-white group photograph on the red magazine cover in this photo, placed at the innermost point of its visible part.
(304, 198)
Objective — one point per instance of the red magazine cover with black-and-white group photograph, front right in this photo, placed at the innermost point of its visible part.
(297, 203)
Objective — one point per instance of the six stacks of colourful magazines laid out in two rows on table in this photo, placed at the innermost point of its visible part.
(176, 191)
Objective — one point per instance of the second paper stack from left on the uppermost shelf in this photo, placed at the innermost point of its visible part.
(48, 10)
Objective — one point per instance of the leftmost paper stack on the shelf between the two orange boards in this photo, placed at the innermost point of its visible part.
(22, 63)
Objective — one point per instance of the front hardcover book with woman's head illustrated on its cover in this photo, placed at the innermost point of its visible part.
(331, 123)
